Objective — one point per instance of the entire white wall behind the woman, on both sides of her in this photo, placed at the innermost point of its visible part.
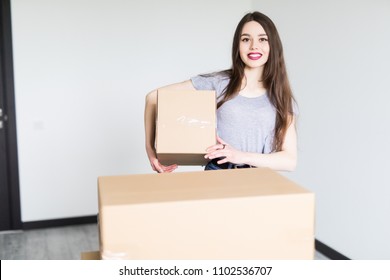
(82, 69)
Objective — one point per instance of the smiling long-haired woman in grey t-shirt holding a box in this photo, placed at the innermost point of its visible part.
(255, 104)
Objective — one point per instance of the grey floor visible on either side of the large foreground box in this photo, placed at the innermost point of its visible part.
(60, 243)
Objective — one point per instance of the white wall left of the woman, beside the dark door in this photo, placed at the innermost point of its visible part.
(82, 69)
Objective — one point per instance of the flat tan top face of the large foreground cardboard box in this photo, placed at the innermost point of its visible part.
(199, 185)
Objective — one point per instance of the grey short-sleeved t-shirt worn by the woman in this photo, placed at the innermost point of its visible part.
(245, 123)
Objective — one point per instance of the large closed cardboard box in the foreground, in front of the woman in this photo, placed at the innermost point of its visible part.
(227, 214)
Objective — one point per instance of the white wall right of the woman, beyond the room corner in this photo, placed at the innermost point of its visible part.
(338, 57)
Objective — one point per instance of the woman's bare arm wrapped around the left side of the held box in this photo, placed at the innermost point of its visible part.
(150, 124)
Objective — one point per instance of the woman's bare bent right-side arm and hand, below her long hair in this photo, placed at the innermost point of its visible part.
(284, 160)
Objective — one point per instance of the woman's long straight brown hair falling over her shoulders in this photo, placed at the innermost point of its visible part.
(274, 78)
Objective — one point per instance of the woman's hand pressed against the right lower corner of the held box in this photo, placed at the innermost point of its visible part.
(224, 151)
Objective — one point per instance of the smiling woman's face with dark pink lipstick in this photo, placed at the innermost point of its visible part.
(254, 47)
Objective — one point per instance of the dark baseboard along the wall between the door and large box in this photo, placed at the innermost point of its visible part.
(60, 222)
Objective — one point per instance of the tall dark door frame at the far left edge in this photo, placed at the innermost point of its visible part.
(11, 189)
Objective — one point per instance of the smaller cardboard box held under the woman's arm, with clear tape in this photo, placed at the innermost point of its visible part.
(186, 126)
